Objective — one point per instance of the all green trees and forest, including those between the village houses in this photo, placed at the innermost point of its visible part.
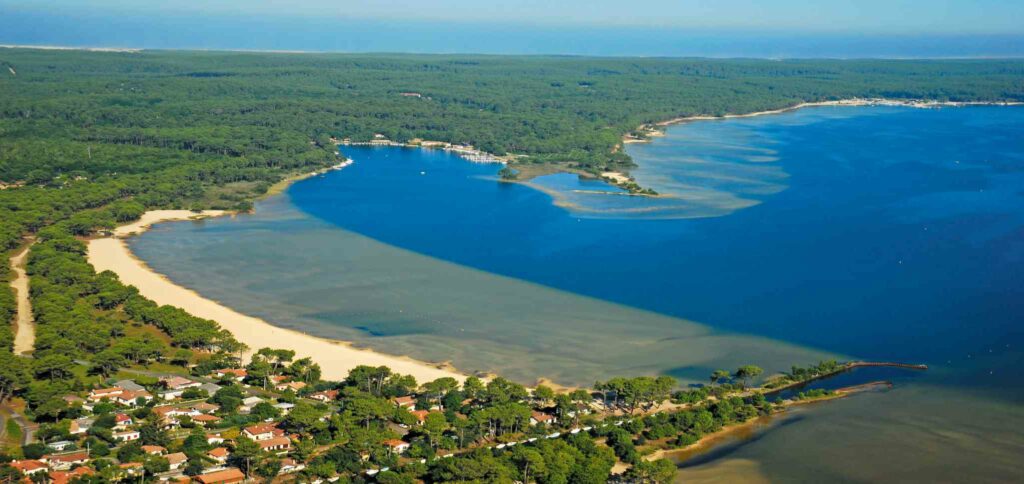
(90, 141)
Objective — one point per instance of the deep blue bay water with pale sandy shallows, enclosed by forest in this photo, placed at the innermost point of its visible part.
(870, 233)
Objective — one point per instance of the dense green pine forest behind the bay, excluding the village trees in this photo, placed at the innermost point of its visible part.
(90, 141)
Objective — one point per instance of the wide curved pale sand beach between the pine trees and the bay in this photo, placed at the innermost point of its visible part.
(336, 359)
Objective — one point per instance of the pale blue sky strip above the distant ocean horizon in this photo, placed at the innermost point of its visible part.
(866, 17)
